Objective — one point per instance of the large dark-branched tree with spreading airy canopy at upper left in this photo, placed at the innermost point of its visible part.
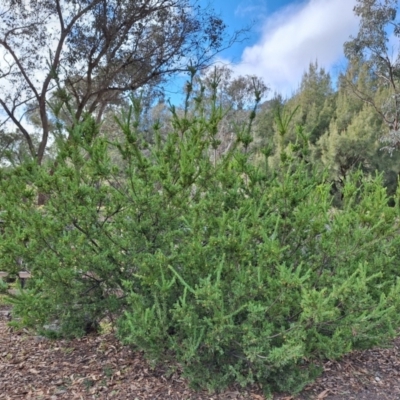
(95, 51)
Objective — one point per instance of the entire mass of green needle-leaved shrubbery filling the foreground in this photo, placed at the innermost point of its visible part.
(230, 271)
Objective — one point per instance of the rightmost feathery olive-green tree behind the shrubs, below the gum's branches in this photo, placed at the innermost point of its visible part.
(352, 140)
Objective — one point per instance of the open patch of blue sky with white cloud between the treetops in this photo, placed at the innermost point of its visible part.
(286, 36)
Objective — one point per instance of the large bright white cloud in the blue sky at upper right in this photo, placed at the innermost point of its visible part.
(297, 35)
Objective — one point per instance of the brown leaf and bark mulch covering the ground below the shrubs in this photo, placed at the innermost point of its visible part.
(99, 367)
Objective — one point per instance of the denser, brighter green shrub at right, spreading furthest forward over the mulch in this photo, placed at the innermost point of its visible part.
(264, 280)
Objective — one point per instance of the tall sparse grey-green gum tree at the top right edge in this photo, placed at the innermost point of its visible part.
(375, 48)
